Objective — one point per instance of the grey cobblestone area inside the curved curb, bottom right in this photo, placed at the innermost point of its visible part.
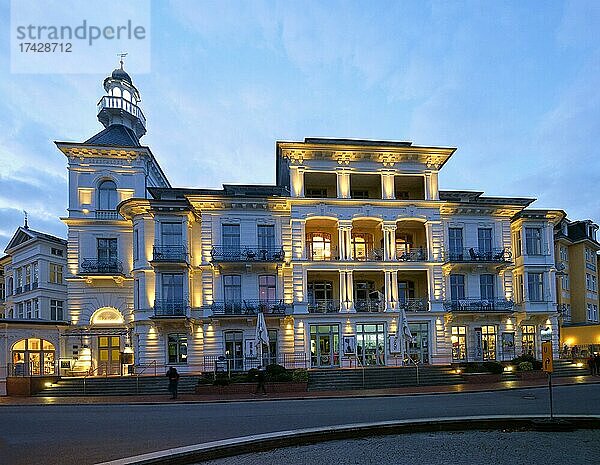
(472, 447)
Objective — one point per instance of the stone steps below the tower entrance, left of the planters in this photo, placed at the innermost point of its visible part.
(118, 386)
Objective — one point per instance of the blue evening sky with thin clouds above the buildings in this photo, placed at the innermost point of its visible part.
(512, 84)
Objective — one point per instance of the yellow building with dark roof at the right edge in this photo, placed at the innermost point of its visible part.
(576, 249)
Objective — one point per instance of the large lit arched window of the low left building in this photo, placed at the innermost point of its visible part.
(33, 357)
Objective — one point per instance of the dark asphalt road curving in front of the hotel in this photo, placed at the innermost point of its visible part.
(87, 434)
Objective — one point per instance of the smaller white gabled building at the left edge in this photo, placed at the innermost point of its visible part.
(33, 296)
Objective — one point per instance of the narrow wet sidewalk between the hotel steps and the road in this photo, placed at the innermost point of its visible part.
(401, 391)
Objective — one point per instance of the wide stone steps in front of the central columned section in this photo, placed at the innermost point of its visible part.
(380, 378)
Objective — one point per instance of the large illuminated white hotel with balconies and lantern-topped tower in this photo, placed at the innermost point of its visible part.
(352, 232)
